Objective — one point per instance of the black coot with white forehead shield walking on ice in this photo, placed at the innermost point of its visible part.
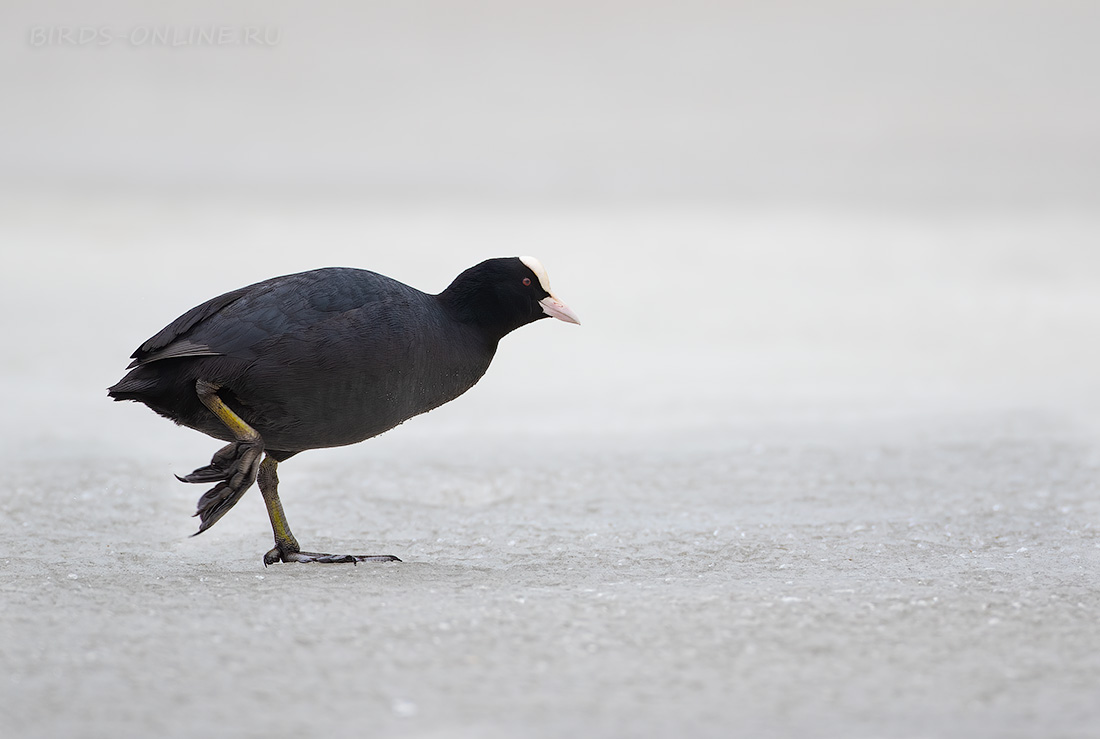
(322, 359)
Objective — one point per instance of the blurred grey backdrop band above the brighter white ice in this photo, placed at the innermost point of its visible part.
(985, 105)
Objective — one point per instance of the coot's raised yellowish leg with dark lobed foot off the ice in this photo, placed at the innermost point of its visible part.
(234, 466)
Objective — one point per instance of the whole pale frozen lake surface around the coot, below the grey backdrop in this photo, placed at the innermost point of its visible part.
(800, 473)
